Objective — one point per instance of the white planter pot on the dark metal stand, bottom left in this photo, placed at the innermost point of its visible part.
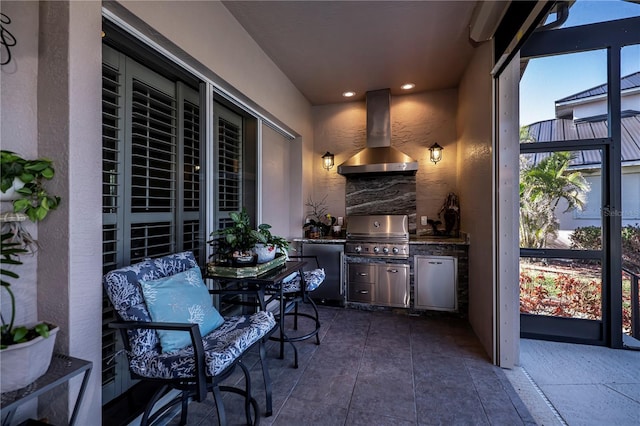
(24, 363)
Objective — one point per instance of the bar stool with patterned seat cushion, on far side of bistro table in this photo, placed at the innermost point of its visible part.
(295, 290)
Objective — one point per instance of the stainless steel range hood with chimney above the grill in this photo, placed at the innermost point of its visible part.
(379, 156)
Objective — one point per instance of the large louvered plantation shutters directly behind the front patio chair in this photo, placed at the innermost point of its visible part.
(151, 178)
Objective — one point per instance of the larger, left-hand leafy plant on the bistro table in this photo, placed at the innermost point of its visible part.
(234, 244)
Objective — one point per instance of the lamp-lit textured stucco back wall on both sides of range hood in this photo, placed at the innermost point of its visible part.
(417, 121)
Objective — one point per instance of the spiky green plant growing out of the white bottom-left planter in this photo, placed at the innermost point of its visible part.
(9, 333)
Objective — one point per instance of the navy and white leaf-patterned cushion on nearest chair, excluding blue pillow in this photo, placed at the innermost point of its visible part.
(222, 345)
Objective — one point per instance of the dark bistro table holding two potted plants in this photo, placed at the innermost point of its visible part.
(268, 287)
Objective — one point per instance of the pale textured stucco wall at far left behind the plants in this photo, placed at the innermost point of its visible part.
(51, 108)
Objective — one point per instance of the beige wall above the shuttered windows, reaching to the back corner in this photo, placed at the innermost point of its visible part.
(208, 32)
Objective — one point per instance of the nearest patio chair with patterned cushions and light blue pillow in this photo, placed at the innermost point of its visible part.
(194, 354)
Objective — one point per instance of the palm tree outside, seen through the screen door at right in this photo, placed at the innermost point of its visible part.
(542, 186)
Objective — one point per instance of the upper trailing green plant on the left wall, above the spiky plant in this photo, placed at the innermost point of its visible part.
(35, 201)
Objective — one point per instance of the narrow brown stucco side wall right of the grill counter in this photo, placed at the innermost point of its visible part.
(475, 180)
